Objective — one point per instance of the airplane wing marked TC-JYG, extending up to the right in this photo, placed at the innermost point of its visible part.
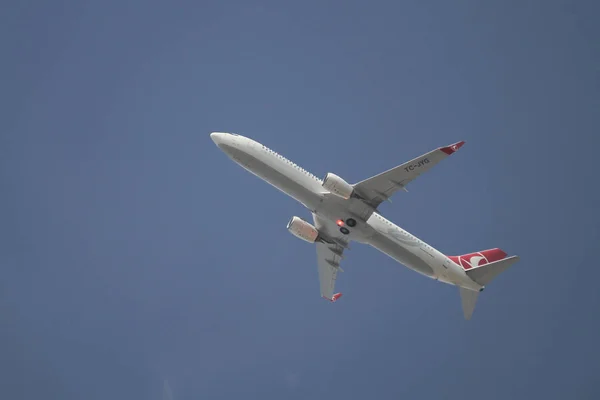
(379, 188)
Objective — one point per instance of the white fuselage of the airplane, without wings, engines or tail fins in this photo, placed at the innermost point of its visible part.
(376, 230)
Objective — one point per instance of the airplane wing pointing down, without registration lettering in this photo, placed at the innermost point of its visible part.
(329, 256)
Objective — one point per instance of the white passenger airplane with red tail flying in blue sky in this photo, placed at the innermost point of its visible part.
(343, 213)
